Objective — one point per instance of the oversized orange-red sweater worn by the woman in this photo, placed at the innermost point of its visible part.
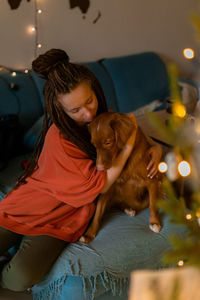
(58, 198)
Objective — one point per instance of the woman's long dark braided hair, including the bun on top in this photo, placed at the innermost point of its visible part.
(62, 77)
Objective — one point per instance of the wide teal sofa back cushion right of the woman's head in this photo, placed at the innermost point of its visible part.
(138, 79)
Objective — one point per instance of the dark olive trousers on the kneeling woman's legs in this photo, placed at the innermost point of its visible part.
(34, 258)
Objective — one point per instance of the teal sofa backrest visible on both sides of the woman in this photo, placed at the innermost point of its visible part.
(128, 82)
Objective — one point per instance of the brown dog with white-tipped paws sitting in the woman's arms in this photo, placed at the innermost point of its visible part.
(133, 190)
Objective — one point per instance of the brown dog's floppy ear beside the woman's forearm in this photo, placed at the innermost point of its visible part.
(123, 125)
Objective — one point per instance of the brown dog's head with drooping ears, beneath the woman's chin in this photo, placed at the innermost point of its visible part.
(109, 133)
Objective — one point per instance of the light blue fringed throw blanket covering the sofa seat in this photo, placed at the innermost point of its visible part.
(123, 244)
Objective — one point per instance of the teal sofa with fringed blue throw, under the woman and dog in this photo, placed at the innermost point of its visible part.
(99, 270)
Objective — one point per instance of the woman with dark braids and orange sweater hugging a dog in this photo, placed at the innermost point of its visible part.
(54, 200)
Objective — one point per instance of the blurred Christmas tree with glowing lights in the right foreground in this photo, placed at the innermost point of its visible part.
(182, 166)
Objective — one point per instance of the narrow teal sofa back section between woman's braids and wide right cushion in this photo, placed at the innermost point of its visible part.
(106, 84)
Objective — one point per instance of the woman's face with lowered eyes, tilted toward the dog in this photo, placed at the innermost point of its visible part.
(80, 104)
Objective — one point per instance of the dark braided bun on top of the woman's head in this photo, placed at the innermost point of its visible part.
(46, 62)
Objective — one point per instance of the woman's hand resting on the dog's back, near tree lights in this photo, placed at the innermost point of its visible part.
(156, 153)
